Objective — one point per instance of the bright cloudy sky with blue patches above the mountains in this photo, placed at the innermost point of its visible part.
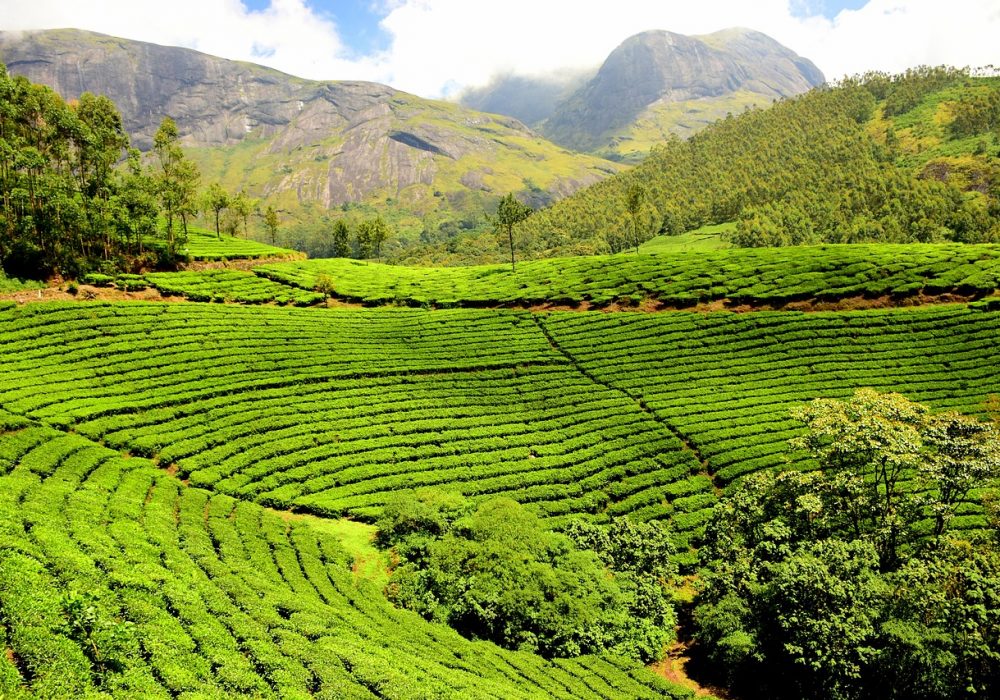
(434, 48)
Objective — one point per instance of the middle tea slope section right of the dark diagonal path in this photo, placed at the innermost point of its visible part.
(727, 381)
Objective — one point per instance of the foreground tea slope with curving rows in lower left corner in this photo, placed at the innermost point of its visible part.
(197, 594)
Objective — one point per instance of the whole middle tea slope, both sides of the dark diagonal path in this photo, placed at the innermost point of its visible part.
(574, 414)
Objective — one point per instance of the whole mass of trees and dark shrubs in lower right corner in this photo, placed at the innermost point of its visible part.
(809, 590)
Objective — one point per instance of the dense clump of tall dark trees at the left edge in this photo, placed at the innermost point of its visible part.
(59, 191)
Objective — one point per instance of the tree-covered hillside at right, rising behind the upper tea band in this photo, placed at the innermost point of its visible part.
(806, 170)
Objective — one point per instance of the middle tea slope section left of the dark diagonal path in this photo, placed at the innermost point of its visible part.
(332, 412)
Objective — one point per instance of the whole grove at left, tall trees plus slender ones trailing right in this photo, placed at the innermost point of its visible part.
(75, 198)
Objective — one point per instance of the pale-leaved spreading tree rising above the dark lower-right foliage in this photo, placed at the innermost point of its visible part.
(867, 444)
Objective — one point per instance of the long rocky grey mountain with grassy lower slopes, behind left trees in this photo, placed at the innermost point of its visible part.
(307, 146)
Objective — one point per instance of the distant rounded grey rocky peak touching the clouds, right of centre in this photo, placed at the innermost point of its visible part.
(654, 84)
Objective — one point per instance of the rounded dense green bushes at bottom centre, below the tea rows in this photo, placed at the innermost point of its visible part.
(495, 573)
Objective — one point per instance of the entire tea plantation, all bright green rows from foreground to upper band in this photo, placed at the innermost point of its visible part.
(162, 465)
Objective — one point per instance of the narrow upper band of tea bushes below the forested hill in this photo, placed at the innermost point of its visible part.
(679, 278)
